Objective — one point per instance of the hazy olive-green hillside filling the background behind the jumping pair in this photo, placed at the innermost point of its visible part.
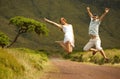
(73, 10)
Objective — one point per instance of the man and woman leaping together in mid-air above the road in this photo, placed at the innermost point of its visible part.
(94, 43)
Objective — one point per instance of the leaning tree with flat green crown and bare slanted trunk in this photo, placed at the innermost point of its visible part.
(25, 25)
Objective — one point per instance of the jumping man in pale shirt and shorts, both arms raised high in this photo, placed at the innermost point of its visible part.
(94, 43)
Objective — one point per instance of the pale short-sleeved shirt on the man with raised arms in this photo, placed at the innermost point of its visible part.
(94, 27)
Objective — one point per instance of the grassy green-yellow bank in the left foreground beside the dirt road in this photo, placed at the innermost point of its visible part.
(21, 63)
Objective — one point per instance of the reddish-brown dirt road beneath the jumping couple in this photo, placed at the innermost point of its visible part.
(74, 70)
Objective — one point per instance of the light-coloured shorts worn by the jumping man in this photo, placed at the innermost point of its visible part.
(96, 42)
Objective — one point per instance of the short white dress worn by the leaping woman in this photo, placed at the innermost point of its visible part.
(69, 36)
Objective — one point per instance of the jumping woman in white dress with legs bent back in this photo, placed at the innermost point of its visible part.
(68, 42)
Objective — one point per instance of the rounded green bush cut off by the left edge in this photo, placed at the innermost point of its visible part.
(4, 40)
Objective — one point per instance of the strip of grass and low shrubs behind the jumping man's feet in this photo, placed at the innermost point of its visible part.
(113, 55)
